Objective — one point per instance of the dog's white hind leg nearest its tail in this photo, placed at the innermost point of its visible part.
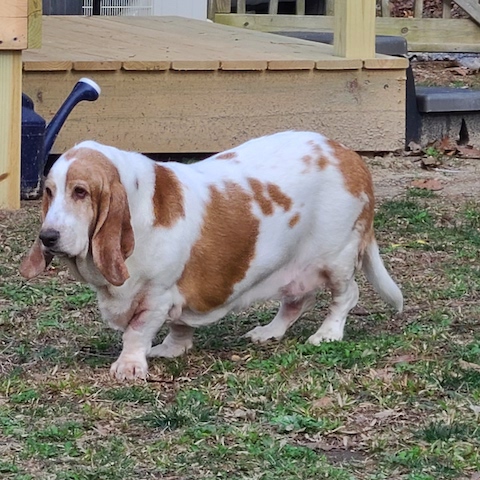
(344, 298)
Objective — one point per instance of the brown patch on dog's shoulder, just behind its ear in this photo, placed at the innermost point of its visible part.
(168, 202)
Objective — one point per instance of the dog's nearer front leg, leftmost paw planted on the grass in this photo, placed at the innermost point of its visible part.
(137, 342)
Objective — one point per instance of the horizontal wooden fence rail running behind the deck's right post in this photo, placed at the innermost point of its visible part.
(422, 34)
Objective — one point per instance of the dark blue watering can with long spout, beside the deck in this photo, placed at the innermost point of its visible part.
(38, 138)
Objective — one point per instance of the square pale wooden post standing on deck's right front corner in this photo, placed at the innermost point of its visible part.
(354, 32)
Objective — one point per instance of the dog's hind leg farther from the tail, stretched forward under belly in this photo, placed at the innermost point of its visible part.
(289, 312)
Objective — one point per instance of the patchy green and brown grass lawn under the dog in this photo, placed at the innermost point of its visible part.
(398, 399)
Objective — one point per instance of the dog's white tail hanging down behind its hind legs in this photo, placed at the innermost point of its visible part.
(380, 279)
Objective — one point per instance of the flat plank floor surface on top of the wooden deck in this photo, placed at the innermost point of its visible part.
(155, 42)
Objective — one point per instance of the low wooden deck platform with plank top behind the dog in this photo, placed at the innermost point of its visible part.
(171, 84)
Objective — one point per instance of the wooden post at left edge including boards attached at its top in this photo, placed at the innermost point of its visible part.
(17, 19)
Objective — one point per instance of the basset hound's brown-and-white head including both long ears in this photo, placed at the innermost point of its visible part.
(84, 211)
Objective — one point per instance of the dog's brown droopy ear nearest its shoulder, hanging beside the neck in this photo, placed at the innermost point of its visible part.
(113, 240)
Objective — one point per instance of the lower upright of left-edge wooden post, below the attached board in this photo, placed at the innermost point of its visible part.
(10, 128)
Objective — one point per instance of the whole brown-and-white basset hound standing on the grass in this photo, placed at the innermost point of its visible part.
(278, 217)
